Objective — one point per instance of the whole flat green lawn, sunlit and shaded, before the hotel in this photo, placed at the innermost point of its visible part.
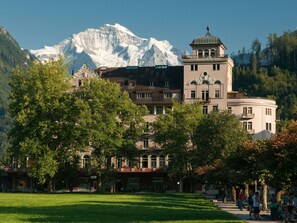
(22, 207)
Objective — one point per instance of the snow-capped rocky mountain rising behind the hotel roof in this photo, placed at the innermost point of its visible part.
(111, 46)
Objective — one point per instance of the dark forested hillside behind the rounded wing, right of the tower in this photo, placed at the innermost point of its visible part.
(271, 73)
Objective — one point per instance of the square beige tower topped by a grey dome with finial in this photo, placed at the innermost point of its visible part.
(208, 73)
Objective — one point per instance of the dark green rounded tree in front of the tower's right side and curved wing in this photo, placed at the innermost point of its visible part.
(217, 136)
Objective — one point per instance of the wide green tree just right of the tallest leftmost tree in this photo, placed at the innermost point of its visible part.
(108, 121)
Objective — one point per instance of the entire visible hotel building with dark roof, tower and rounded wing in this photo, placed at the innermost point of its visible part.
(205, 76)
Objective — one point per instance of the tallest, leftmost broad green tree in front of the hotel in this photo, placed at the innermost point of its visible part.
(42, 118)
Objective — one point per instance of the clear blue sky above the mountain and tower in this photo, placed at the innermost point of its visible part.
(35, 23)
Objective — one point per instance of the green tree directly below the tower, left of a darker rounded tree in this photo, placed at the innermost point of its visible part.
(174, 132)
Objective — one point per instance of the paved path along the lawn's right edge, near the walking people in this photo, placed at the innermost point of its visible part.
(231, 208)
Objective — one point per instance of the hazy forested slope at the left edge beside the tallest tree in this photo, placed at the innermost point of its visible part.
(11, 55)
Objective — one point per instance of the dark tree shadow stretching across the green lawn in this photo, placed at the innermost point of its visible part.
(156, 208)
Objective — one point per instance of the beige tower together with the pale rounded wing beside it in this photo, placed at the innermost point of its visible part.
(208, 78)
